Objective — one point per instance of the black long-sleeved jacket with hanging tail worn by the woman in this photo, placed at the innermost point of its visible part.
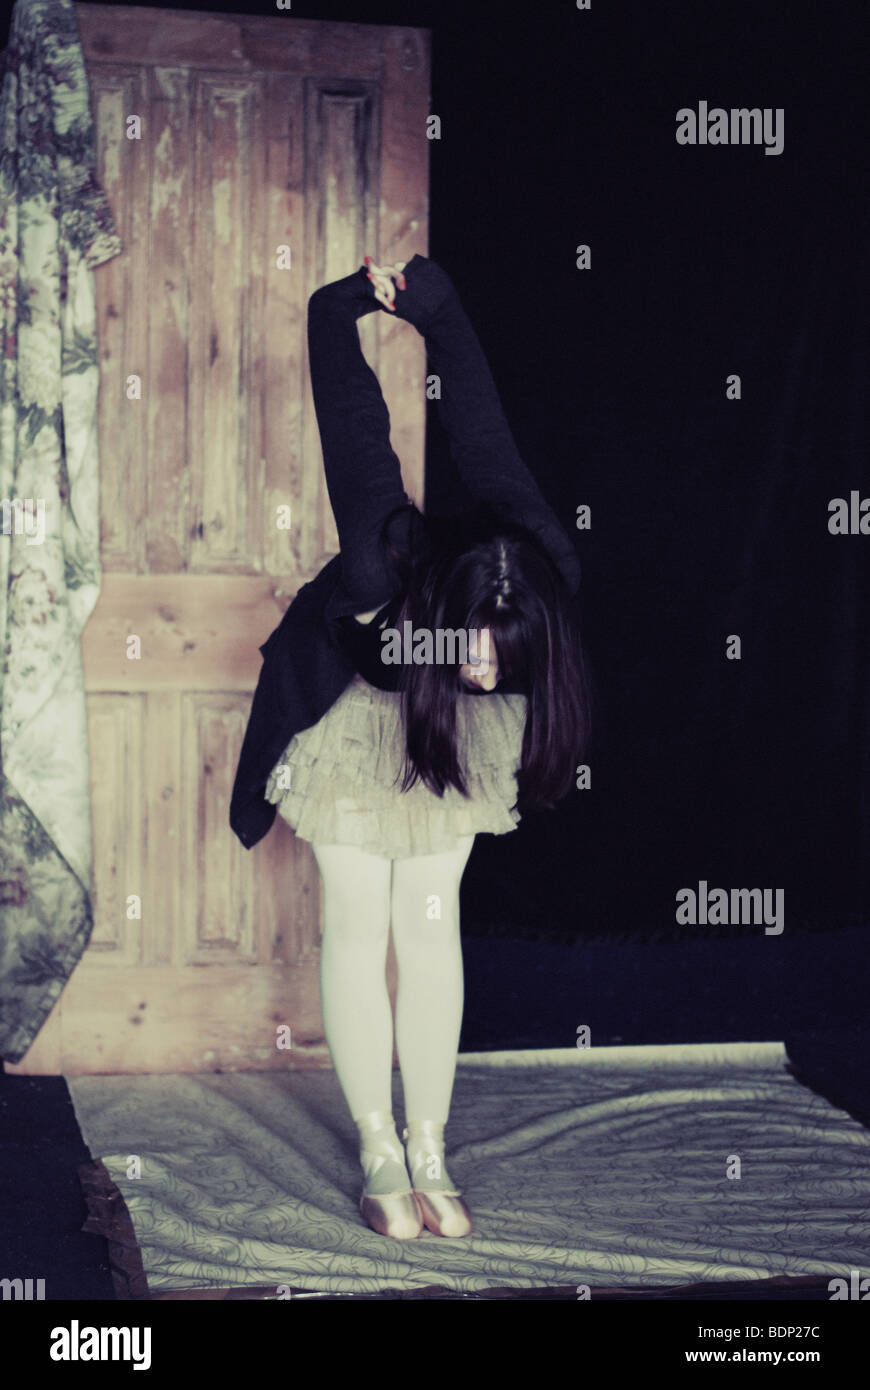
(309, 660)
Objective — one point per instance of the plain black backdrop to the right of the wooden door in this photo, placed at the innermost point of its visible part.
(709, 516)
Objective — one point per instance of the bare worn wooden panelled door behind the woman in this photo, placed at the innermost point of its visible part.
(248, 161)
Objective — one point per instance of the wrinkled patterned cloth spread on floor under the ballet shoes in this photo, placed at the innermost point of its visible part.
(604, 1167)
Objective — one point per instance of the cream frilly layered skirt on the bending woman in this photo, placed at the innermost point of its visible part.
(340, 780)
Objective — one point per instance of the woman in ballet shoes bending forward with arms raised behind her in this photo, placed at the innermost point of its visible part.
(429, 744)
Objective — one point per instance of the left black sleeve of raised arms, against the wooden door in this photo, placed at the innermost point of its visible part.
(362, 471)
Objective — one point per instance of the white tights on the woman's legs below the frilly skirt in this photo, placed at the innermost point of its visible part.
(362, 894)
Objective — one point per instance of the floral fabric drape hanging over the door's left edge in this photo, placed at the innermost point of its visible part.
(55, 227)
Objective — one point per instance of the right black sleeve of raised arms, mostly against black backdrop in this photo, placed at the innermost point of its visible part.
(482, 443)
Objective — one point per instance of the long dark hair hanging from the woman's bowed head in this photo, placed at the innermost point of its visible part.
(483, 571)
